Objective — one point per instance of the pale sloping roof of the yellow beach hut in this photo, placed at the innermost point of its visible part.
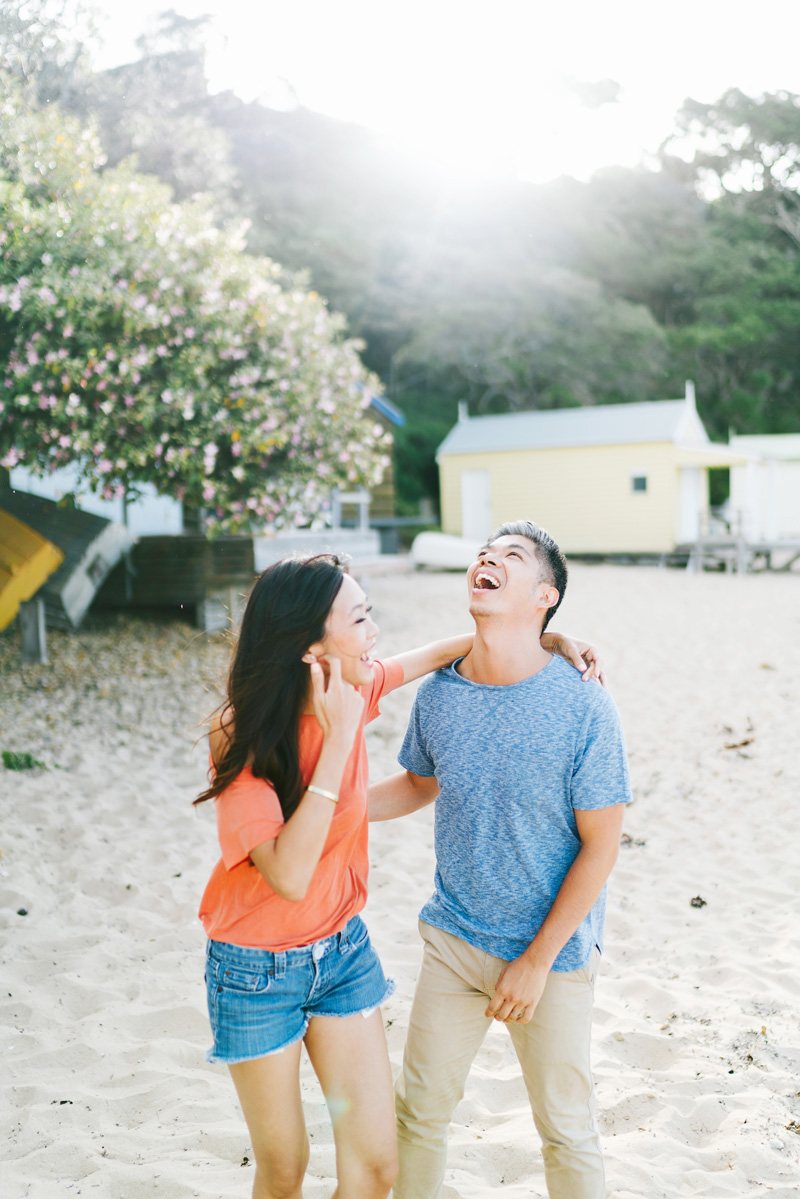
(661, 420)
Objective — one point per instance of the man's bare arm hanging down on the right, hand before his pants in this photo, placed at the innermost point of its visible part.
(522, 983)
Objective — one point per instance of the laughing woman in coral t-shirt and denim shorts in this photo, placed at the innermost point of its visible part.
(290, 960)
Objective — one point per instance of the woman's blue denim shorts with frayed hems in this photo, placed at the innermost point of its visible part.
(260, 1002)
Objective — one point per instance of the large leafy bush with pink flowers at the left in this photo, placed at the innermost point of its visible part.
(141, 344)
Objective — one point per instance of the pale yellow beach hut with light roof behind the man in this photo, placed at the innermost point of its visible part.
(618, 479)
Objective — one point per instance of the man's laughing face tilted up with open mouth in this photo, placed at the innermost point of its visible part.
(508, 580)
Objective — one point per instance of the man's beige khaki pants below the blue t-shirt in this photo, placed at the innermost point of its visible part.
(446, 1033)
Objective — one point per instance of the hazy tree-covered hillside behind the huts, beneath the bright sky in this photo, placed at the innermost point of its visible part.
(509, 297)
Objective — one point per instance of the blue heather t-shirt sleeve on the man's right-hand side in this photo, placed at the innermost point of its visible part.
(600, 778)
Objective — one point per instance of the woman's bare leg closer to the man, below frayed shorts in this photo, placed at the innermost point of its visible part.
(350, 1057)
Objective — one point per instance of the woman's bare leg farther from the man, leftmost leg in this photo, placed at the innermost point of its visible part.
(269, 1093)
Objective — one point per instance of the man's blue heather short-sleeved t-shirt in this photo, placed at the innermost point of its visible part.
(513, 764)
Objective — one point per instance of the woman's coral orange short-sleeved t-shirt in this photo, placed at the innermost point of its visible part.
(239, 906)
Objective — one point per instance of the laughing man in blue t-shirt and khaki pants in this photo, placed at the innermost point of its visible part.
(528, 769)
